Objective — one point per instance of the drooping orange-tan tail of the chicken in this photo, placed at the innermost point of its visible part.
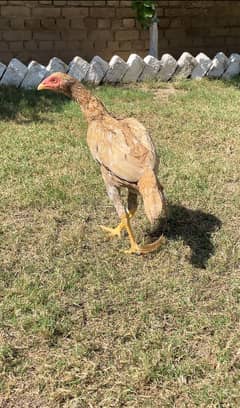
(153, 196)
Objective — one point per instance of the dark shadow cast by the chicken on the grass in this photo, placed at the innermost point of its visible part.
(194, 227)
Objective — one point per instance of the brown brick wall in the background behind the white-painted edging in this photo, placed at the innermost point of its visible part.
(43, 29)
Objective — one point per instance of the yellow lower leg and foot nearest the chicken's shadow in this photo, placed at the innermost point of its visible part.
(134, 247)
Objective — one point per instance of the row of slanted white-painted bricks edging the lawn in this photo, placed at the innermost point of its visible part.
(118, 71)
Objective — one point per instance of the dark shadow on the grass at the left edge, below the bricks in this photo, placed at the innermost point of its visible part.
(25, 106)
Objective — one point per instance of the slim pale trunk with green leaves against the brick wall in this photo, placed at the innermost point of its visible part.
(146, 13)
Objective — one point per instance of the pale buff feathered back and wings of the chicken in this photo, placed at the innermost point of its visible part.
(112, 145)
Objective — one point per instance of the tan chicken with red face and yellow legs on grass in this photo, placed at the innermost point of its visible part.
(125, 153)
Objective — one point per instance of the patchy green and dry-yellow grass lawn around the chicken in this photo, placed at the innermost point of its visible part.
(82, 325)
